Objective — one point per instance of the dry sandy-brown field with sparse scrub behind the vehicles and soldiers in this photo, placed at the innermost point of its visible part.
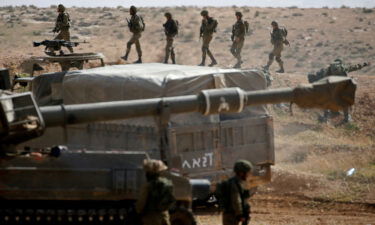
(310, 183)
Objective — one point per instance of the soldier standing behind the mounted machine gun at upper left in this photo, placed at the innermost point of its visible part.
(62, 26)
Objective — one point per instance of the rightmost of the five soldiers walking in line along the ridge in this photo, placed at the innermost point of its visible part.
(278, 39)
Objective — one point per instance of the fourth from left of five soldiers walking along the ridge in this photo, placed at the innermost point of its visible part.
(238, 38)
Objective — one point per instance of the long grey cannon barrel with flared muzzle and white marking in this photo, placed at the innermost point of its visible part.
(332, 93)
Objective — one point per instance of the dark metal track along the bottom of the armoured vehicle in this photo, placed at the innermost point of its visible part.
(66, 213)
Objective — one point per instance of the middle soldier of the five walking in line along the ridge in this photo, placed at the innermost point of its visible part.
(207, 29)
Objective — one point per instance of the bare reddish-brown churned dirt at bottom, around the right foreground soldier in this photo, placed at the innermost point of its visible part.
(271, 209)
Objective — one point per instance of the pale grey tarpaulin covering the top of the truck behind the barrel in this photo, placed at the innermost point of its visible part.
(154, 80)
